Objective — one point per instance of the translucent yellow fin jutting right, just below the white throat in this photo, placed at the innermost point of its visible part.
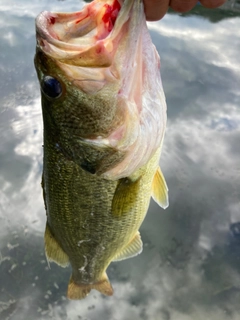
(160, 189)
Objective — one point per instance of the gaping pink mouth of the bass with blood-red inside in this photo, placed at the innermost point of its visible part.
(87, 38)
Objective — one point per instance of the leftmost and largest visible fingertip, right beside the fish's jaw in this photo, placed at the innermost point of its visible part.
(155, 9)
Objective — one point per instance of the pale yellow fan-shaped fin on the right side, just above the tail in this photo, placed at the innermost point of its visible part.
(131, 250)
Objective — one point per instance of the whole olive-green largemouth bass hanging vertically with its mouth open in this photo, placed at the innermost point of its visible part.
(104, 119)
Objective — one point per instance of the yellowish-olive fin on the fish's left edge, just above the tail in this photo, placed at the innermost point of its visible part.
(53, 250)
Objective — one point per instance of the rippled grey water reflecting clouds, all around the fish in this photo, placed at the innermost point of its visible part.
(189, 268)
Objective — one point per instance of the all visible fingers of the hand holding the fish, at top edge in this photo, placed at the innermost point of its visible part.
(156, 9)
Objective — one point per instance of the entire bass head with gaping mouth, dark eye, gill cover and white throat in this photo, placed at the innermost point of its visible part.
(101, 90)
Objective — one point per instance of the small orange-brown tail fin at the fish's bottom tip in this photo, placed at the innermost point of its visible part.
(80, 291)
